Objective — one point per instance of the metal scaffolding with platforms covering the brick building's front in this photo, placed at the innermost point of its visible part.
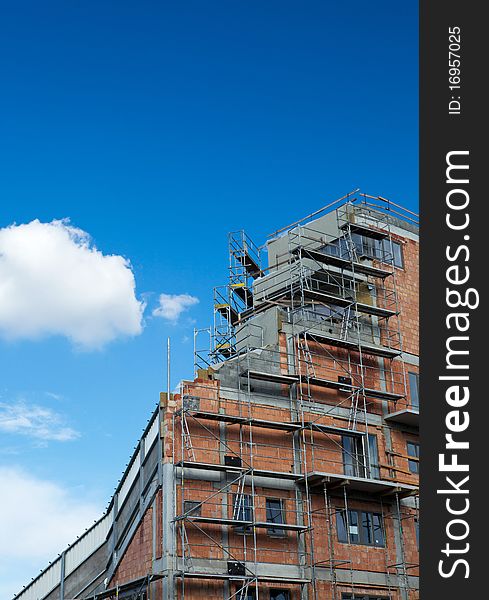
(341, 359)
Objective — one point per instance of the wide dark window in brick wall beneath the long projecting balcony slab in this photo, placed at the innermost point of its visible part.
(360, 527)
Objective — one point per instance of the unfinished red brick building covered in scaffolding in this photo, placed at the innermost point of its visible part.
(287, 468)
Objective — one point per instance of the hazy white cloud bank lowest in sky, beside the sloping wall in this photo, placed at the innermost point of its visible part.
(39, 519)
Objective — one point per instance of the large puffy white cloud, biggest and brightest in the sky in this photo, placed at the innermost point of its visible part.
(54, 281)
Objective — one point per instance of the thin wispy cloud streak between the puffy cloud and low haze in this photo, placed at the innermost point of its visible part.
(34, 421)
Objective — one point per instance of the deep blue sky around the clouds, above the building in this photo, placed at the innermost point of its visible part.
(156, 128)
